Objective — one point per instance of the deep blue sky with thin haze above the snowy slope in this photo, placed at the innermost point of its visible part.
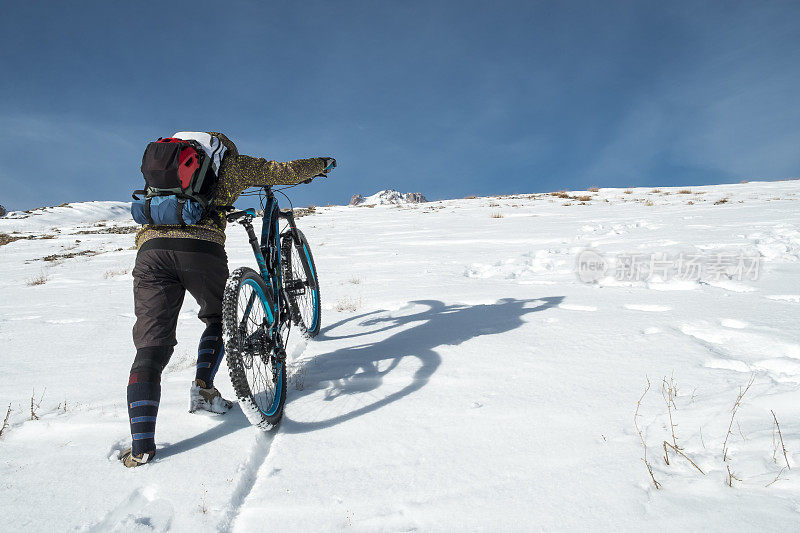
(445, 98)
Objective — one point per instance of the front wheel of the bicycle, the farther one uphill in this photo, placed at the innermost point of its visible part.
(306, 308)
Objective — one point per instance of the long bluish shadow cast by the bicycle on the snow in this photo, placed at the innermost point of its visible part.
(360, 369)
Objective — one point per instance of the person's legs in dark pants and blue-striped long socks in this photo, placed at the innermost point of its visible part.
(165, 269)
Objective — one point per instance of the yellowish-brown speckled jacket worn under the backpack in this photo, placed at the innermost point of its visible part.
(236, 173)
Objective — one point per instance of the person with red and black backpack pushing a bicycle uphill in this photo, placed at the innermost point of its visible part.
(191, 178)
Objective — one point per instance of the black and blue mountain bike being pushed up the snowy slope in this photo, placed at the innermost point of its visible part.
(260, 308)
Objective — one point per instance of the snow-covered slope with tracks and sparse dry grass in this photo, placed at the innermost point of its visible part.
(464, 379)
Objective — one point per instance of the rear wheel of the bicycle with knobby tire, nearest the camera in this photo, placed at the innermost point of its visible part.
(257, 375)
